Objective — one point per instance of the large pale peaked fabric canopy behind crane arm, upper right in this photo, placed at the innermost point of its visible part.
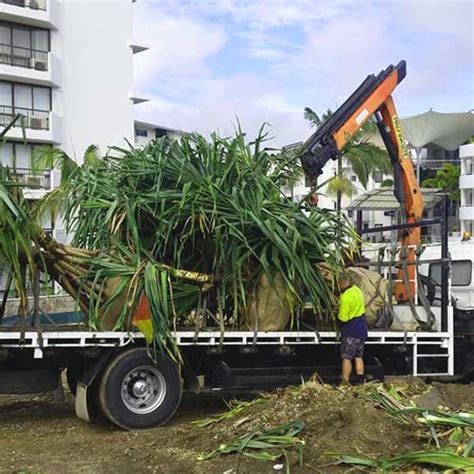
(447, 130)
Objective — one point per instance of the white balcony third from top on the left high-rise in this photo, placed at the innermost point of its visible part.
(33, 125)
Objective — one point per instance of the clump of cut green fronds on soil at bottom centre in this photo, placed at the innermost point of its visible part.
(261, 444)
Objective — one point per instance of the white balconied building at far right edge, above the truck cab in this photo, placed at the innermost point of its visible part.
(466, 186)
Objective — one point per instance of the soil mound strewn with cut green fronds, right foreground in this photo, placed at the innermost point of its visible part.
(375, 425)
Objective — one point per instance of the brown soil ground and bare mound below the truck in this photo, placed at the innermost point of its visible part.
(40, 435)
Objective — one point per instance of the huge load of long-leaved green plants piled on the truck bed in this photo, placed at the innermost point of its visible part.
(195, 225)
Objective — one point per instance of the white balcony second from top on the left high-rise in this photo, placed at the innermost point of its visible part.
(18, 64)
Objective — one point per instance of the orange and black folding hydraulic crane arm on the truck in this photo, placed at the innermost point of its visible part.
(374, 98)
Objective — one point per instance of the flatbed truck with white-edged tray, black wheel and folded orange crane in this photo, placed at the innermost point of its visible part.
(116, 374)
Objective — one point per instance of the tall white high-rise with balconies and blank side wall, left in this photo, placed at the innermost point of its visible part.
(66, 68)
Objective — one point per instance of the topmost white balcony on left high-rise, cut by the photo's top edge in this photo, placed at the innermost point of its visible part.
(43, 13)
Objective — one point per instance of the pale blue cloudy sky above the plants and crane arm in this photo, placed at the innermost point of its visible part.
(213, 63)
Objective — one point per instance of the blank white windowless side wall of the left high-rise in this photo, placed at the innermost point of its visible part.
(97, 74)
